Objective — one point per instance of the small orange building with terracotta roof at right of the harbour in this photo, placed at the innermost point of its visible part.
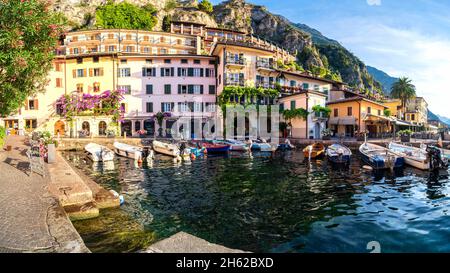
(358, 114)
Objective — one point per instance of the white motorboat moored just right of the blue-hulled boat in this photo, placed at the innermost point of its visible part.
(415, 157)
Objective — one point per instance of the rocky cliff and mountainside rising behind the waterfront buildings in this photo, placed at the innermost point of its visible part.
(315, 52)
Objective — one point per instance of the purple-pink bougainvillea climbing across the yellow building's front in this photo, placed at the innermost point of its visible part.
(105, 104)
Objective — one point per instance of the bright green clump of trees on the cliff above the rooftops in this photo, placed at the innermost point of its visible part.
(125, 15)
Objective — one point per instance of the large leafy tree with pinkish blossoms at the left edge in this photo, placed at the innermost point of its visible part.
(29, 32)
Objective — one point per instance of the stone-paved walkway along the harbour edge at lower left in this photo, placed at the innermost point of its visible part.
(31, 220)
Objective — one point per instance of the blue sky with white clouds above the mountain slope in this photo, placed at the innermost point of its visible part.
(401, 37)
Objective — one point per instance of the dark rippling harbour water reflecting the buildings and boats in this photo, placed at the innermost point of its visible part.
(270, 204)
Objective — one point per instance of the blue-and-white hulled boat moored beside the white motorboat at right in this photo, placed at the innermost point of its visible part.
(380, 158)
